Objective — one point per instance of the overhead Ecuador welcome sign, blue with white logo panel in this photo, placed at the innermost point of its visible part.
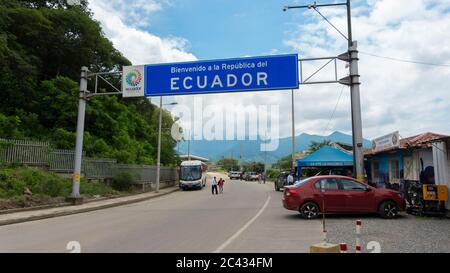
(216, 76)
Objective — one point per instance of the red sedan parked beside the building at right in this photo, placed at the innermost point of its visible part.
(339, 194)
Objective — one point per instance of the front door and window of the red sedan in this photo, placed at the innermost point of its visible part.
(357, 196)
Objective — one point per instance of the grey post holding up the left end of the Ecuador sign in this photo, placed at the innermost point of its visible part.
(76, 177)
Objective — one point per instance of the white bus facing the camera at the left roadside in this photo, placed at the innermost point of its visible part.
(192, 175)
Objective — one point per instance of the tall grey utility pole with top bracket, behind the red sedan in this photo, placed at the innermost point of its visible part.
(351, 56)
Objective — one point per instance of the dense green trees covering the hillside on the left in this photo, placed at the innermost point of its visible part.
(43, 45)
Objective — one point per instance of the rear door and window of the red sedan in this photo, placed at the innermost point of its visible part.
(334, 197)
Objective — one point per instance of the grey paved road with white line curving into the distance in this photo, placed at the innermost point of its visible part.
(248, 217)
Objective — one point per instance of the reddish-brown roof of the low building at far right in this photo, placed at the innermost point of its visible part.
(424, 140)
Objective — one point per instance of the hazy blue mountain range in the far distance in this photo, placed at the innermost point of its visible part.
(217, 149)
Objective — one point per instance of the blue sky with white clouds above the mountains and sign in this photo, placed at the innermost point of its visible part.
(408, 97)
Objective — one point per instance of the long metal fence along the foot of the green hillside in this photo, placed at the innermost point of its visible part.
(37, 153)
